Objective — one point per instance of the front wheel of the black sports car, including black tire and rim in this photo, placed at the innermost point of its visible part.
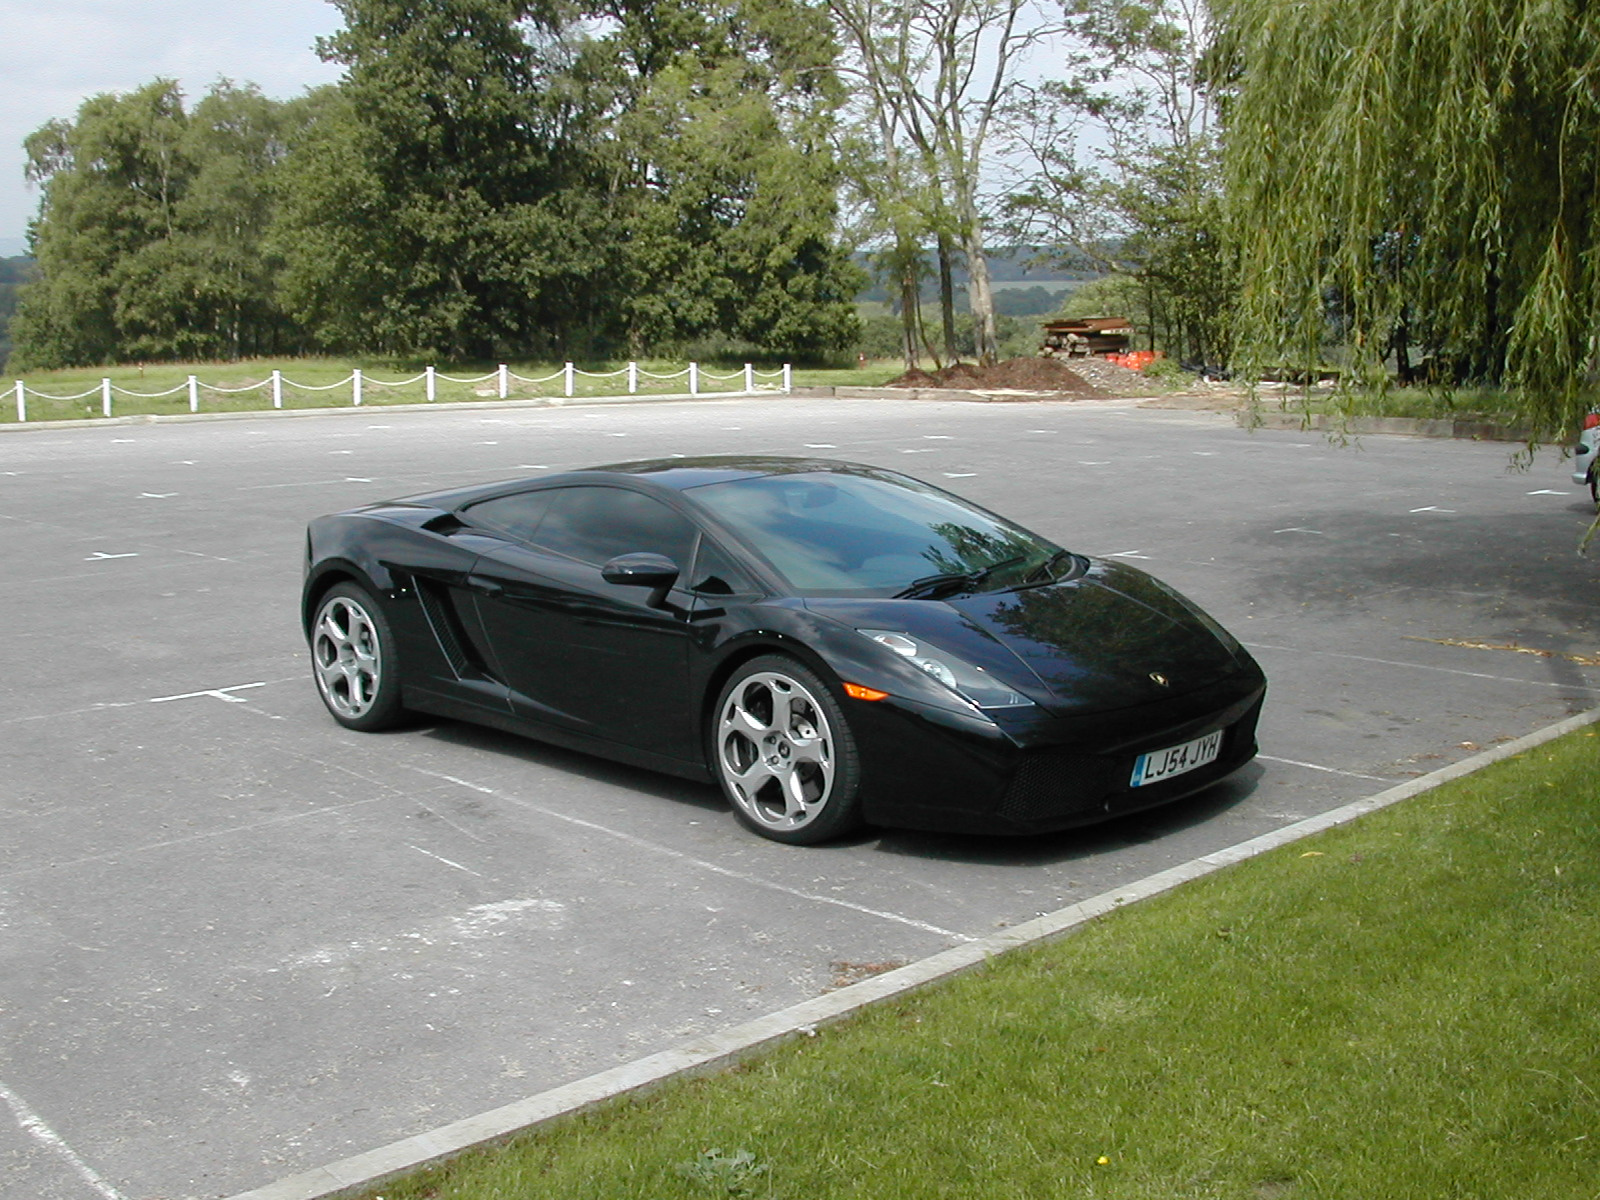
(782, 750)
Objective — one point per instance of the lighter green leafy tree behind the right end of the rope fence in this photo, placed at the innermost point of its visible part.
(722, 177)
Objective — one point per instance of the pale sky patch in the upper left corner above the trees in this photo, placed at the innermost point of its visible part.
(57, 54)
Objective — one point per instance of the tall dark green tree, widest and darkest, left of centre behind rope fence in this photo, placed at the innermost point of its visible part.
(422, 209)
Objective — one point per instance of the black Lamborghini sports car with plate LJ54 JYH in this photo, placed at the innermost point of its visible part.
(833, 644)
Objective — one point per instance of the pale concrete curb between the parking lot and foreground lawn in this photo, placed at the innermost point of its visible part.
(718, 1050)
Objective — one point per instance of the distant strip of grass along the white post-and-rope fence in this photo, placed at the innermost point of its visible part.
(326, 383)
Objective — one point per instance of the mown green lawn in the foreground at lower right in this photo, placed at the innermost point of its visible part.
(1406, 1007)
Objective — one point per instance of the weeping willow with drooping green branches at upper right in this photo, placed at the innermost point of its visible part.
(1426, 177)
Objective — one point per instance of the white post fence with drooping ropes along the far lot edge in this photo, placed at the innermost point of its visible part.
(750, 382)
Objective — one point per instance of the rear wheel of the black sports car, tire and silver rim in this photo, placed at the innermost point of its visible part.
(354, 660)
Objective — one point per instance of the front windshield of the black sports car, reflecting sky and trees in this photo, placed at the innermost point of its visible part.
(868, 535)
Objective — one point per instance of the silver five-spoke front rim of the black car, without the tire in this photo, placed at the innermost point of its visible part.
(775, 751)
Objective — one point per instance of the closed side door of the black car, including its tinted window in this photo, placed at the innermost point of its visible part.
(601, 660)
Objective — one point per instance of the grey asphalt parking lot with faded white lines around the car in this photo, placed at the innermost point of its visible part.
(239, 942)
